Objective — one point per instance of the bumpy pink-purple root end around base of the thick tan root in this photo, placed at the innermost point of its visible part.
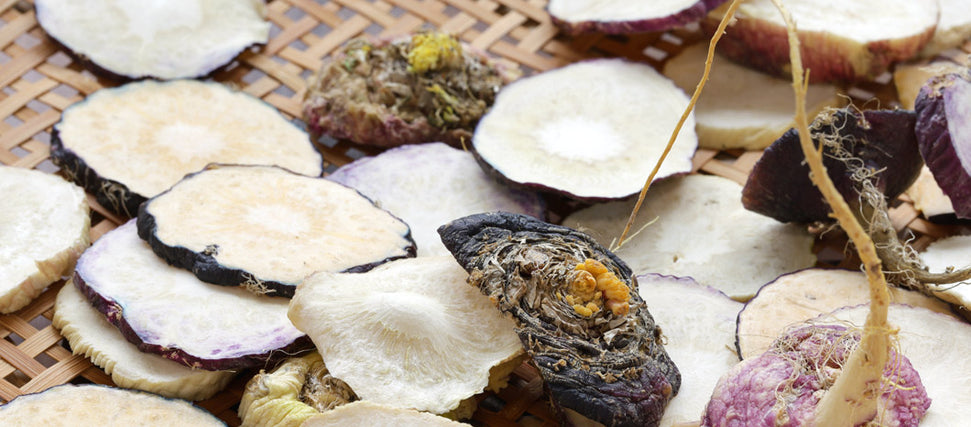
(783, 386)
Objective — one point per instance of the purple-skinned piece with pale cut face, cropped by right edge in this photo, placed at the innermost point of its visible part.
(944, 136)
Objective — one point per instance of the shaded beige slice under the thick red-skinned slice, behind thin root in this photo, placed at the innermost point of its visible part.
(727, 115)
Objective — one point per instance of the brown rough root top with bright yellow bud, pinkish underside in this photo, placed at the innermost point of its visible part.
(421, 88)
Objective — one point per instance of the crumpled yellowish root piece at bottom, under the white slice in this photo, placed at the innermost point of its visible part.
(296, 390)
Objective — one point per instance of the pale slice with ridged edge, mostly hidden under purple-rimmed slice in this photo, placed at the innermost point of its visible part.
(90, 335)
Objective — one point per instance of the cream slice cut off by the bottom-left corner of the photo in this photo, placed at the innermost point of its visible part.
(71, 405)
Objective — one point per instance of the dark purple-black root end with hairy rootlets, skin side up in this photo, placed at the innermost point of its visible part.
(884, 141)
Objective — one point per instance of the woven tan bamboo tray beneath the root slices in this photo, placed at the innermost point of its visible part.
(39, 81)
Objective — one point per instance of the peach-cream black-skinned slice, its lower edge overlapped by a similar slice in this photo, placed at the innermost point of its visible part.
(130, 143)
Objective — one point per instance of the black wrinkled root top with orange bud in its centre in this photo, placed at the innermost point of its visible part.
(577, 313)
